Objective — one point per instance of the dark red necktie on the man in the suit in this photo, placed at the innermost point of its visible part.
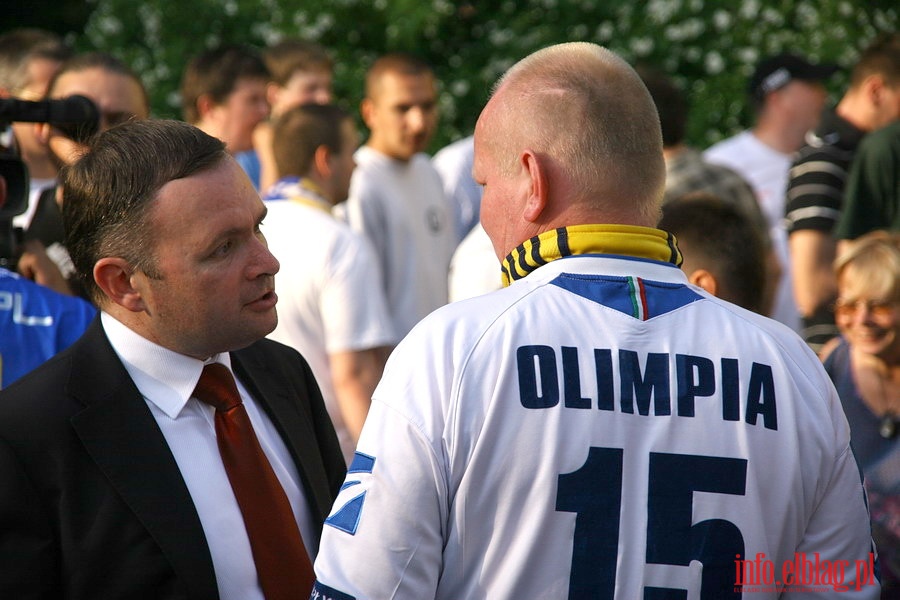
(282, 564)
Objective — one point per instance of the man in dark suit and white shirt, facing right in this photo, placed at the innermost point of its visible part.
(111, 481)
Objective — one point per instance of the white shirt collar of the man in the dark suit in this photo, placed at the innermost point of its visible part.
(164, 377)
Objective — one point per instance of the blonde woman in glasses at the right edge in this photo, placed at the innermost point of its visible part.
(864, 363)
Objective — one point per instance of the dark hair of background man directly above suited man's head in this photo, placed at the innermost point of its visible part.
(216, 72)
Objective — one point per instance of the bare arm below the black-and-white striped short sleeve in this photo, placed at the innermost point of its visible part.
(812, 254)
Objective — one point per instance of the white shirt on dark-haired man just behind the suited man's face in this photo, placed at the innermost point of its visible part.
(329, 290)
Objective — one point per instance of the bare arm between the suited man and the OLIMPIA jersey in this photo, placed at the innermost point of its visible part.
(354, 375)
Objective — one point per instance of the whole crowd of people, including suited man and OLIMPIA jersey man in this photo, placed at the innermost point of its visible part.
(252, 353)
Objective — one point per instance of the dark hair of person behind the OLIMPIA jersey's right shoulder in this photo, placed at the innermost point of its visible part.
(720, 238)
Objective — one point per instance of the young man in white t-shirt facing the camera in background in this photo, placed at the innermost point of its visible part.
(396, 196)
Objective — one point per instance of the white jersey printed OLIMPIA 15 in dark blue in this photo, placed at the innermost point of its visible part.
(598, 429)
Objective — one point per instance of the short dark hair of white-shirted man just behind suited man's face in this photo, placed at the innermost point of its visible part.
(302, 129)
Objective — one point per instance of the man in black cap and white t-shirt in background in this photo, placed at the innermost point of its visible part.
(788, 97)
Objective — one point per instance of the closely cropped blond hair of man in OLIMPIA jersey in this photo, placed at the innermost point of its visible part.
(585, 107)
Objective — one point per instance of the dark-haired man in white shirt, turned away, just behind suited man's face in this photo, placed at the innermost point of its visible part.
(331, 307)
